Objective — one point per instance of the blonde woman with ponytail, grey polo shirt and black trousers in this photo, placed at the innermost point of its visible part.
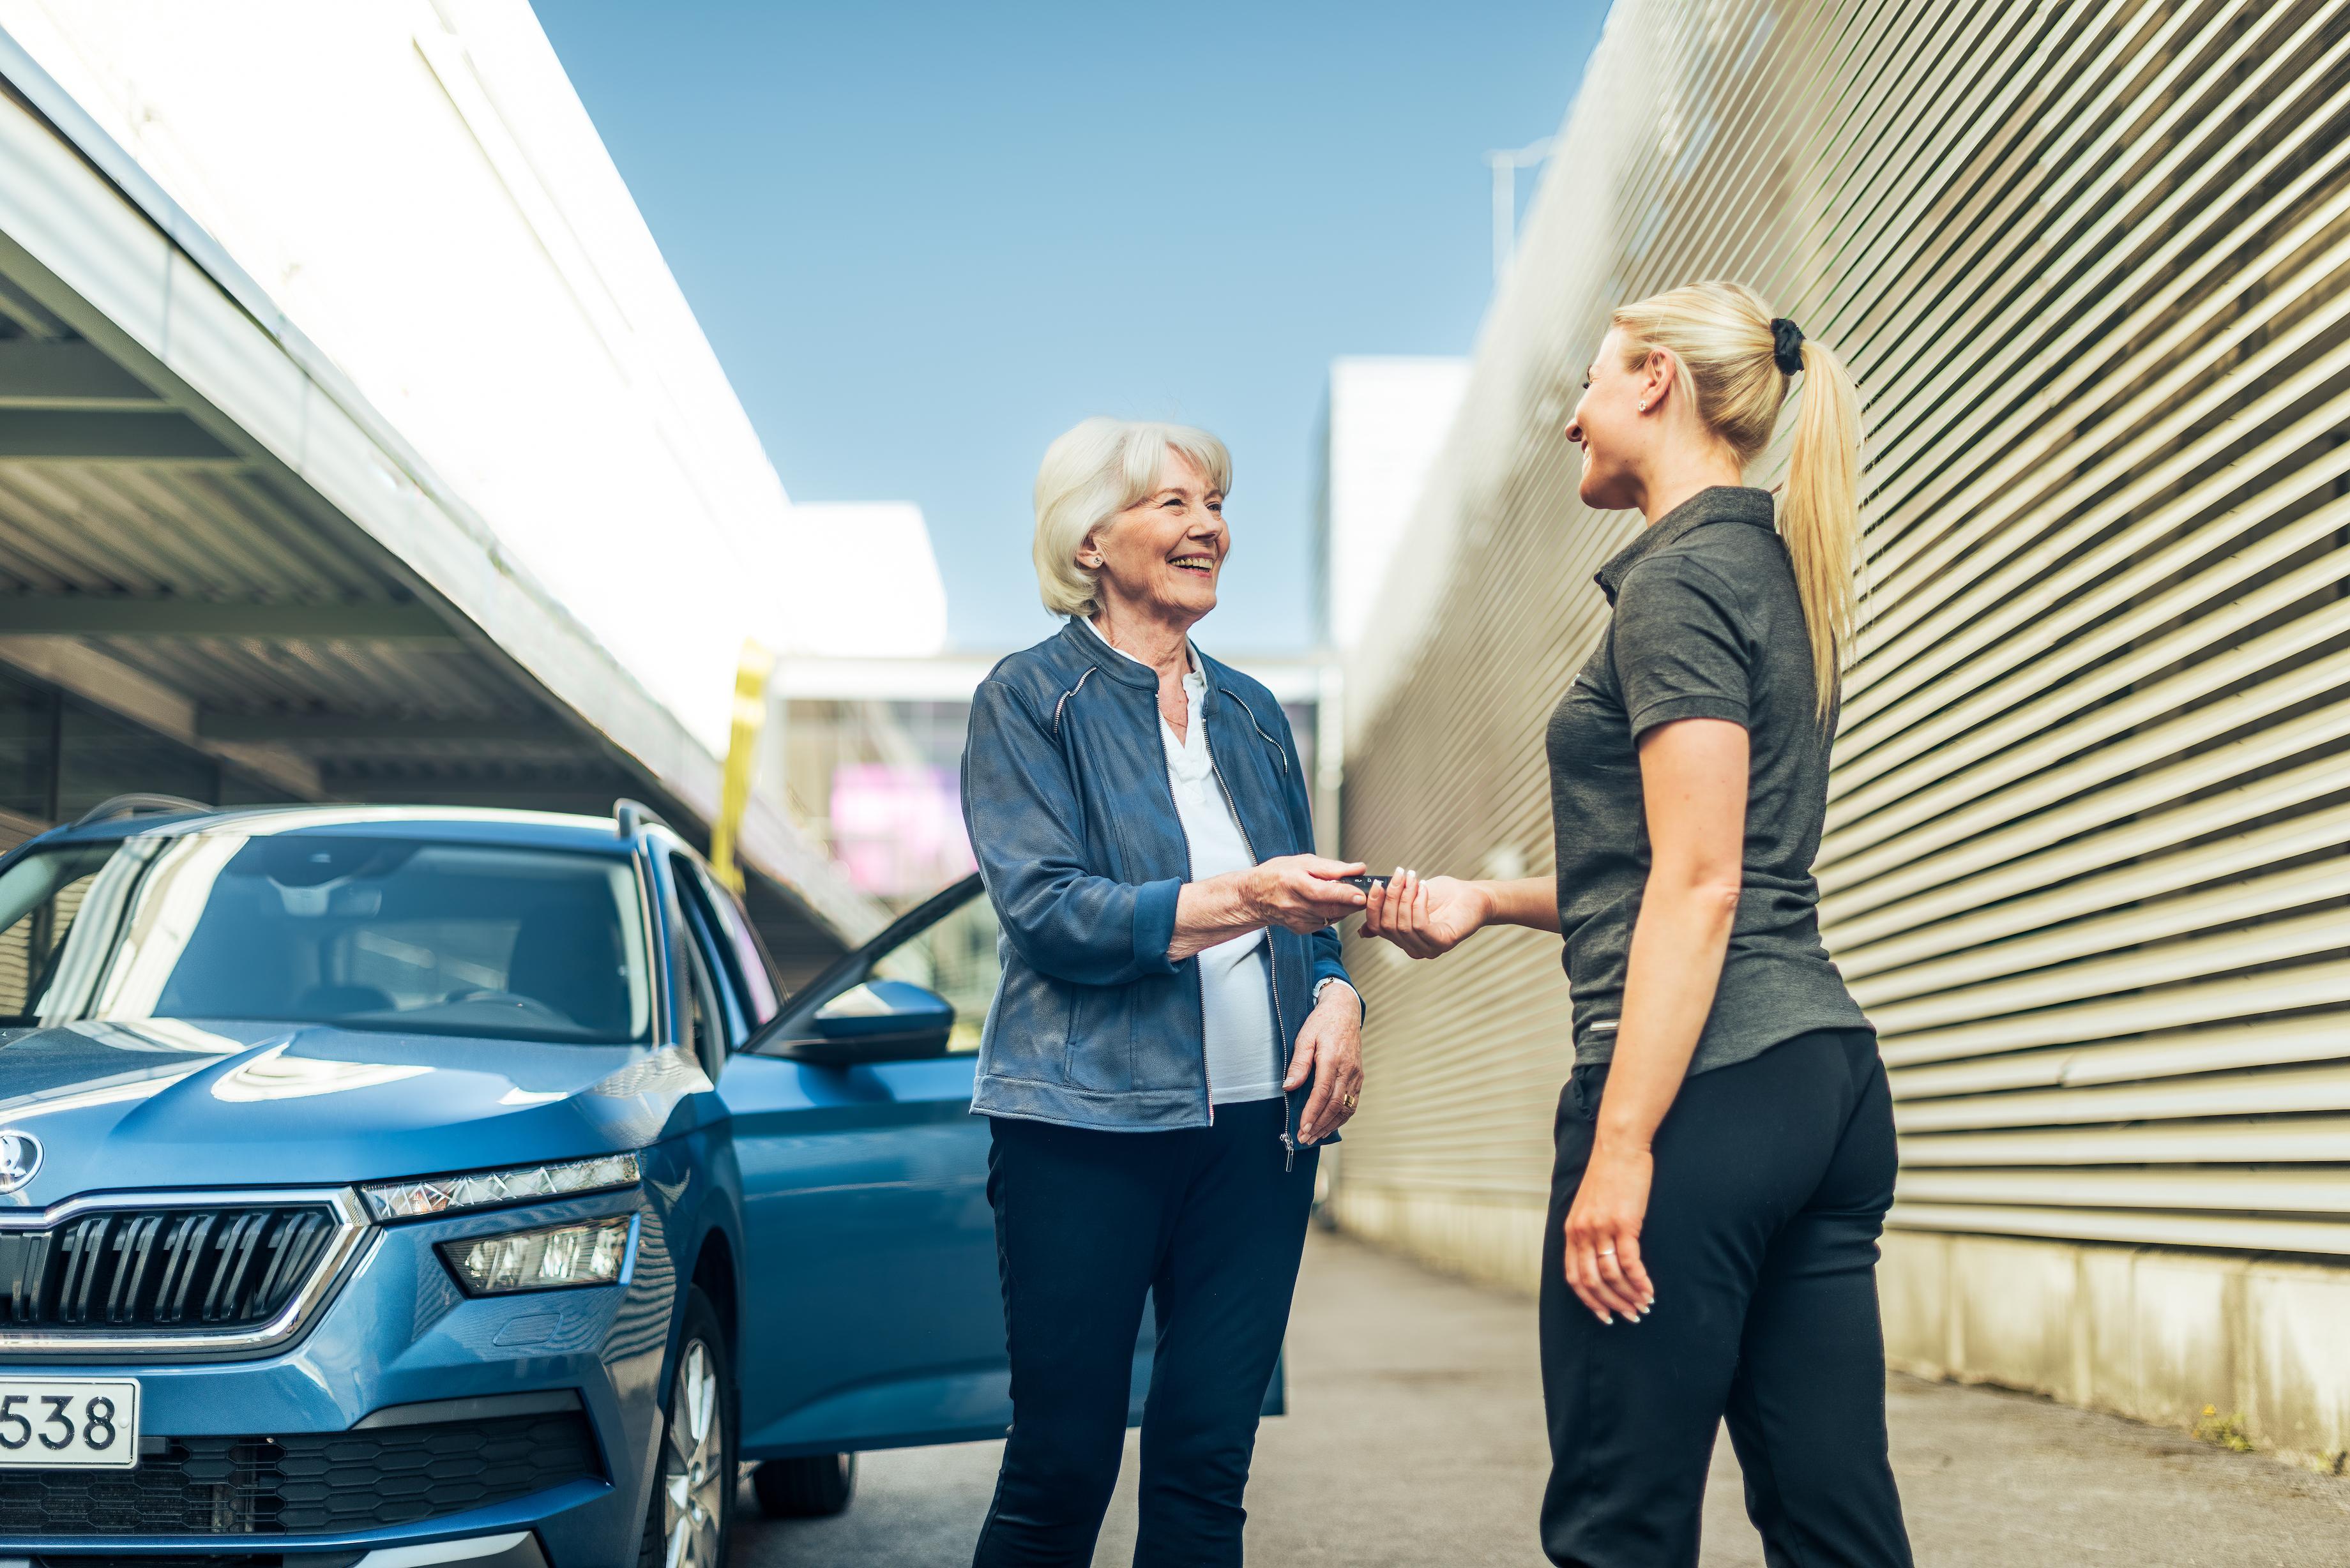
(1726, 1141)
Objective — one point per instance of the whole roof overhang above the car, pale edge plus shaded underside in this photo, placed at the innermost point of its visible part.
(208, 530)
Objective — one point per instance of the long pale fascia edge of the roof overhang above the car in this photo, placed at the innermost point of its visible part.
(177, 300)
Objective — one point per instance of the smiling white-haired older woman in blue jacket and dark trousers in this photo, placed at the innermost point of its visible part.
(1174, 1033)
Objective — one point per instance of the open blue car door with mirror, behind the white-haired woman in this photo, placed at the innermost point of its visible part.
(873, 1311)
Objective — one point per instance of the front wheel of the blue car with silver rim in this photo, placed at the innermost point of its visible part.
(690, 1517)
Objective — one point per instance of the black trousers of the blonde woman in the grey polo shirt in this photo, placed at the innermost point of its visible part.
(1761, 1240)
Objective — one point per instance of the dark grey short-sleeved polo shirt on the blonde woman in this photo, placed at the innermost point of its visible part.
(1707, 626)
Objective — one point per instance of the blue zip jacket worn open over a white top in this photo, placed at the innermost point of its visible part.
(1066, 791)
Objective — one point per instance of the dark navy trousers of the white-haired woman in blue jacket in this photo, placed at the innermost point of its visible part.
(1211, 1226)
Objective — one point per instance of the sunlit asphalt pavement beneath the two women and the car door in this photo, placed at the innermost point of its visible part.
(1416, 1440)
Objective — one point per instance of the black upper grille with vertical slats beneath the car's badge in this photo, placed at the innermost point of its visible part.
(163, 1268)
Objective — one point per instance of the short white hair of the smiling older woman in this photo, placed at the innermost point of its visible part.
(1094, 474)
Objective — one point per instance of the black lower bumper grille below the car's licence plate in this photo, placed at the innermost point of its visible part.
(307, 1485)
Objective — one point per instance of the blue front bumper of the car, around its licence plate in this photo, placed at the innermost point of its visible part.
(408, 1421)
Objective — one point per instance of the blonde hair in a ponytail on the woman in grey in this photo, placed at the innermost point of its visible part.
(1726, 347)
